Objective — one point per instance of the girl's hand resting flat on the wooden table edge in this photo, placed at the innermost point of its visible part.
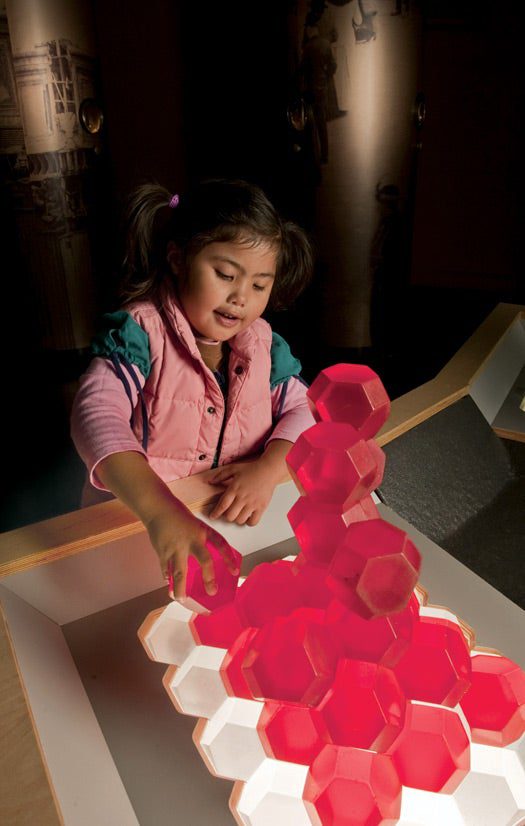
(249, 486)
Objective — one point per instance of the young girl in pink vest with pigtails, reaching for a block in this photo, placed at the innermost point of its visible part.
(190, 358)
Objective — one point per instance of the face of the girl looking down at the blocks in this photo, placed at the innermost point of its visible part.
(225, 287)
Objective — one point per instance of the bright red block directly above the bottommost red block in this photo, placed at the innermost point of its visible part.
(365, 706)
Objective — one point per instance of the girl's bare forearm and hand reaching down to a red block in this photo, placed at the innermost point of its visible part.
(173, 530)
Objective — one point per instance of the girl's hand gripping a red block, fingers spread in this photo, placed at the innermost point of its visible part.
(175, 533)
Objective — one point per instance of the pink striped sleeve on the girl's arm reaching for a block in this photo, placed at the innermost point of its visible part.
(100, 418)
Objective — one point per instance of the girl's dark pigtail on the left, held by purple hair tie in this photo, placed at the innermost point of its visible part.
(146, 220)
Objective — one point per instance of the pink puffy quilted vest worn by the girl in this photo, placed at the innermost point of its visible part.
(189, 420)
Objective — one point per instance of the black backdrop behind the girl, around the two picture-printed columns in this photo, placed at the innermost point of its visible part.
(191, 89)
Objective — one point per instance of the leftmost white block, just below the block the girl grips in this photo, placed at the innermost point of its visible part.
(166, 634)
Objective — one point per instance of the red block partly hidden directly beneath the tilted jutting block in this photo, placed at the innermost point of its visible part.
(380, 640)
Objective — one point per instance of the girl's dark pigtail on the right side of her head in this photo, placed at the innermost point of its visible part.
(295, 264)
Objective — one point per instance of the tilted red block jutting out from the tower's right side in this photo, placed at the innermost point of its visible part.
(375, 568)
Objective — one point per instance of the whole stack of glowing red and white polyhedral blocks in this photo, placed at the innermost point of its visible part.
(327, 688)
